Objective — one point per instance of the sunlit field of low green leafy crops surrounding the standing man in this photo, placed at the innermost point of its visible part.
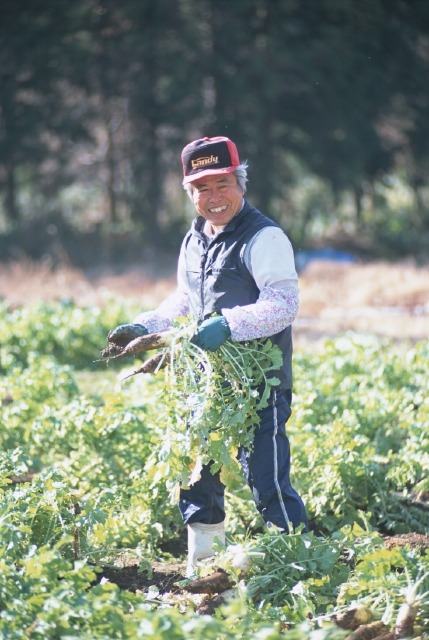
(83, 506)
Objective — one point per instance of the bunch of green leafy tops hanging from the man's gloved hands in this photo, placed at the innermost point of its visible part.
(210, 402)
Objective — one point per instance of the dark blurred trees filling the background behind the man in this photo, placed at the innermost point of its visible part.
(327, 99)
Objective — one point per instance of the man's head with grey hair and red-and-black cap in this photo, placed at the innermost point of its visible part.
(214, 178)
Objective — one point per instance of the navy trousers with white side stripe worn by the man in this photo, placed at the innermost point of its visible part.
(266, 470)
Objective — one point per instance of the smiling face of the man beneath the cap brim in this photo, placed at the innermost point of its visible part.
(217, 198)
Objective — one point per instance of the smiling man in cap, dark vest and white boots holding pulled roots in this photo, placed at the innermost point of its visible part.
(238, 264)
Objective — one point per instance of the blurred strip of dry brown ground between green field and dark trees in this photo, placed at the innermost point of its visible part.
(390, 300)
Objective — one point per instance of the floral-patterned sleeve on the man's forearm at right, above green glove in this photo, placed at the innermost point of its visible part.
(274, 310)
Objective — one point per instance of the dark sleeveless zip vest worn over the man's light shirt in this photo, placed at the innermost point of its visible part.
(219, 279)
